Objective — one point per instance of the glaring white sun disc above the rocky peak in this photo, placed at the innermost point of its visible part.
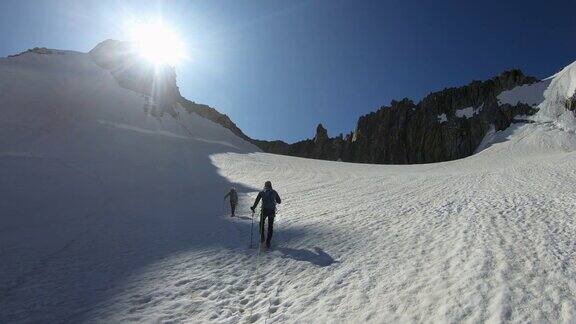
(157, 43)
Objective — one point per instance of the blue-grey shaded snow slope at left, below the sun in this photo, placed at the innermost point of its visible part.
(93, 189)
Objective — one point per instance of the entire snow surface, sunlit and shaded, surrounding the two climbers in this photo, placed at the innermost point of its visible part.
(110, 215)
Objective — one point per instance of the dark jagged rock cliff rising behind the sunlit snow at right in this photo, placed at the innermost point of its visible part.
(445, 125)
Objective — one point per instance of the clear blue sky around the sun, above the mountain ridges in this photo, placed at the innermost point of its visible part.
(278, 68)
